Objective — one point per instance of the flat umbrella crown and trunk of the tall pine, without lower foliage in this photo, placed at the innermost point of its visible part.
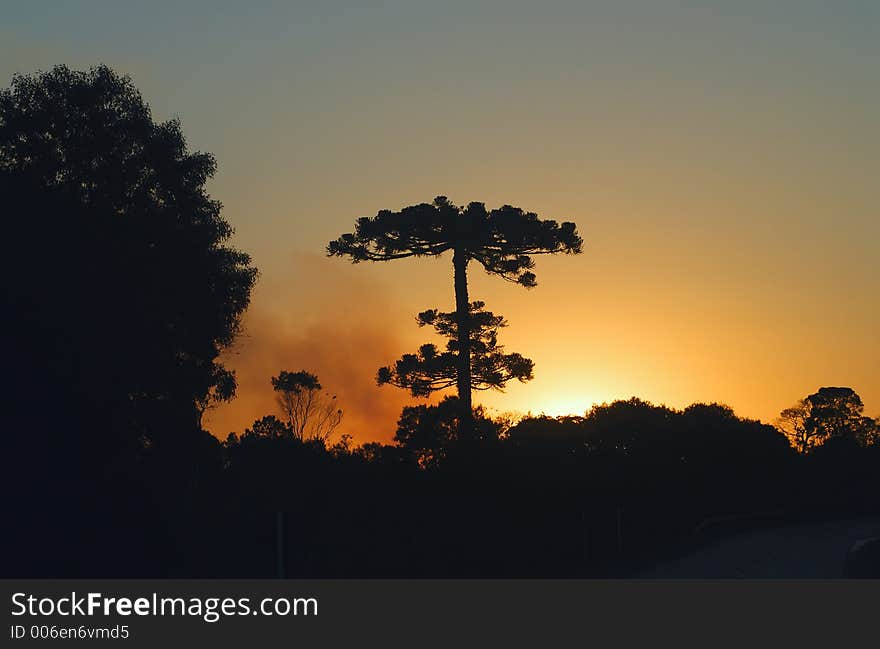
(502, 241)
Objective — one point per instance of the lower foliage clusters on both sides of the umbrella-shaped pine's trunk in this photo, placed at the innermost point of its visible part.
(430, 370)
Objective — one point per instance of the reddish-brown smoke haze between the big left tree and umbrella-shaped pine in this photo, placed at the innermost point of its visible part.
(344, 335)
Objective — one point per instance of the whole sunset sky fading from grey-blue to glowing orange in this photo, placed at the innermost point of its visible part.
(721, 160)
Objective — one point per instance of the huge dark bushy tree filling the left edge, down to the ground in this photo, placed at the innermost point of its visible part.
(125, 292)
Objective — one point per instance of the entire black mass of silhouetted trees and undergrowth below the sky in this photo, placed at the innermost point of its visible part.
(125, 291)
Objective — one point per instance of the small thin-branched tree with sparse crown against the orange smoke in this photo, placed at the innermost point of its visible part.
(311, 413)
